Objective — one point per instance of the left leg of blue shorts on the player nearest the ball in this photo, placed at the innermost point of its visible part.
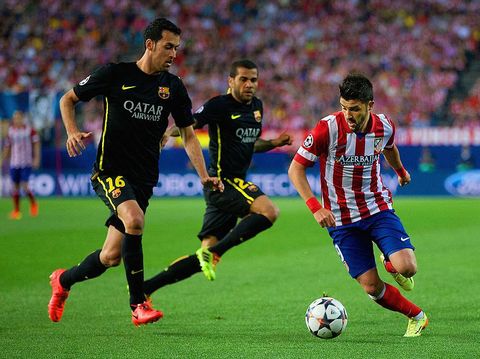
(354, 249)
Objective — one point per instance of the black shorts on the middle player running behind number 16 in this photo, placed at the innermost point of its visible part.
(223, 209)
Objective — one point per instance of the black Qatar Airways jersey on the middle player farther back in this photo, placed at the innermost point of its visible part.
(233, 128)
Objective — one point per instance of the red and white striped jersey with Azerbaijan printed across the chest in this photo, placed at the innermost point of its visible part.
(352, 187)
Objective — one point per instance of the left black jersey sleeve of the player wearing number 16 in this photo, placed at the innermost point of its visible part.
(97, 83)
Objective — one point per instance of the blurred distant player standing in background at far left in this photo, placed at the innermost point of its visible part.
(23, 150)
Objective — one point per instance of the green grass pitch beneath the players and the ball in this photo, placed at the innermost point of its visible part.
(256, 306)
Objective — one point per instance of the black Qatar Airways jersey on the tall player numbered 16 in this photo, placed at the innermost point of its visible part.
(137, 107)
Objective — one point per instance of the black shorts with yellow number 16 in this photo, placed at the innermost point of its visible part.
(114, 190)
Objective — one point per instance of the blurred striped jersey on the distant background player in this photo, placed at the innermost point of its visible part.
(20, 140)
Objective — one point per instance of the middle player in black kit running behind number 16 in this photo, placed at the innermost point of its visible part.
(234, 125)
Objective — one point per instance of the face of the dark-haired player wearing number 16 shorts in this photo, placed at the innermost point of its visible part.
(164, 51)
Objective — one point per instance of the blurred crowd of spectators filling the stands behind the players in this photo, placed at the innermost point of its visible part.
(412, 50)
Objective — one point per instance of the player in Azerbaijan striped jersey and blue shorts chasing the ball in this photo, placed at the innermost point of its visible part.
(357, 207)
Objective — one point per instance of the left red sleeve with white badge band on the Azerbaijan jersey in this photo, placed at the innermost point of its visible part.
(314, 145)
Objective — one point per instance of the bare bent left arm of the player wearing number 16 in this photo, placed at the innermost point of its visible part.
(75, 137)
